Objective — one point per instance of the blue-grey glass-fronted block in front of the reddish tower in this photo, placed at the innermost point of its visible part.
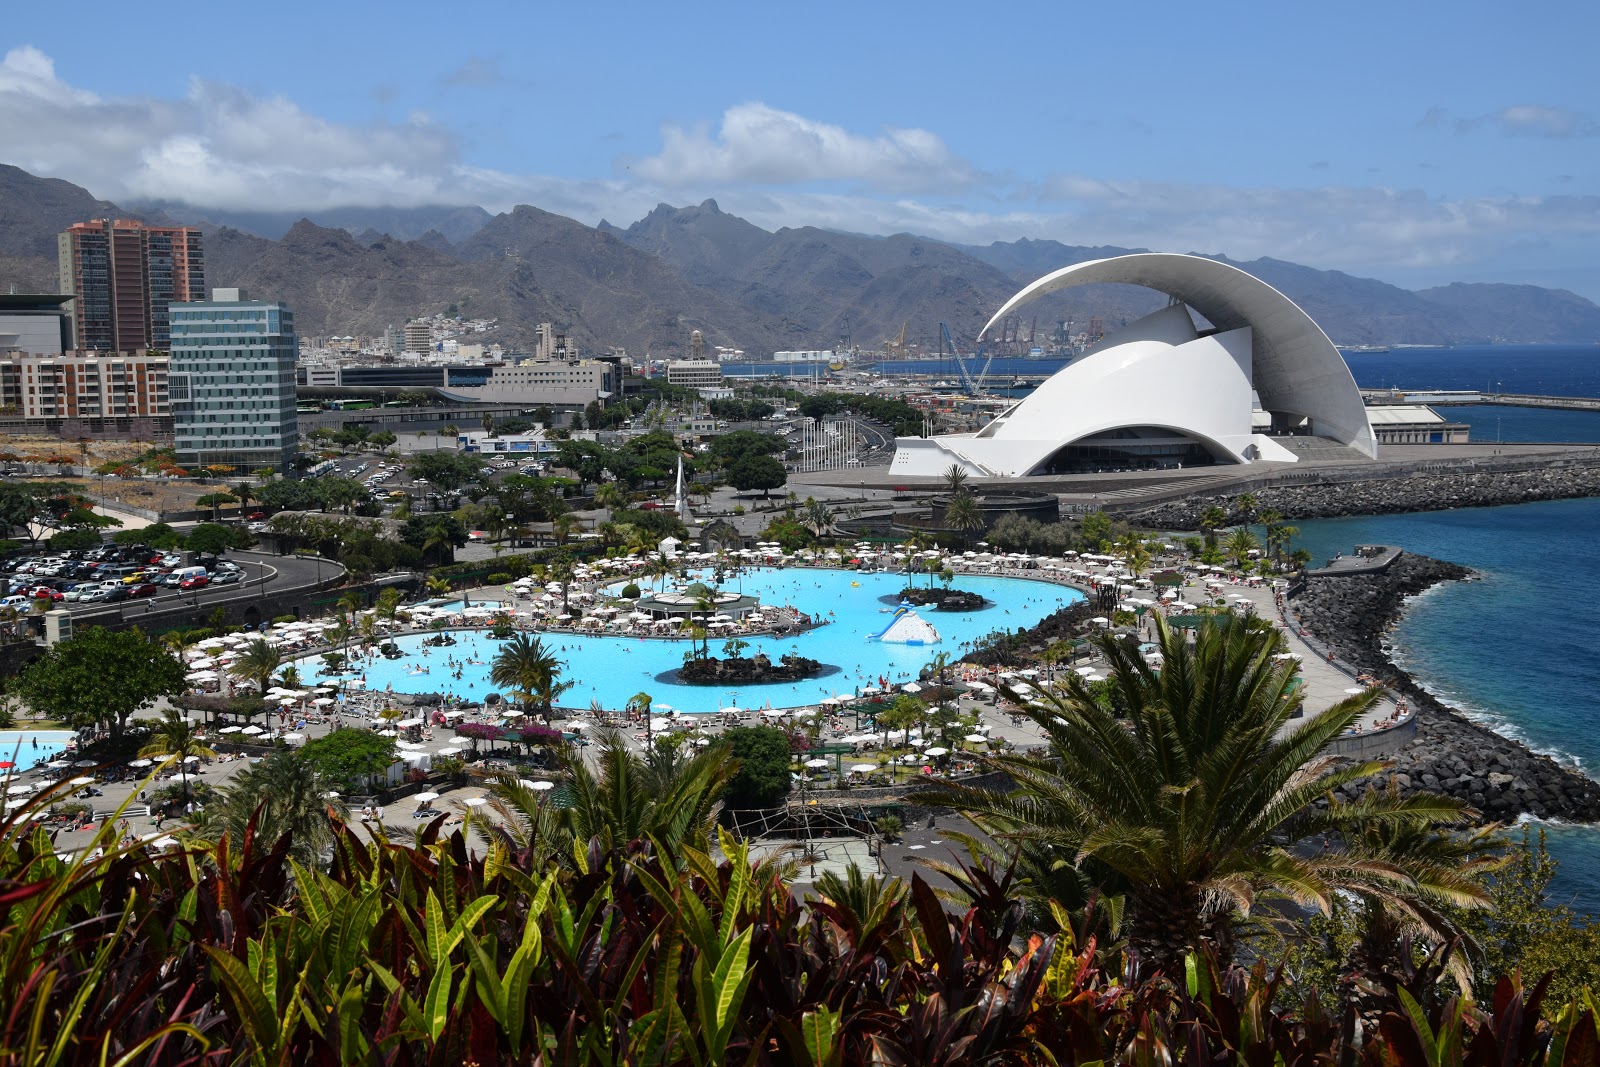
(233, 383)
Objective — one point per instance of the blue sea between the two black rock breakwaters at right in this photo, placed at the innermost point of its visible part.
(1518, 650)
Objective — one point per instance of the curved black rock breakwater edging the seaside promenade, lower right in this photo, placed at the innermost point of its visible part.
(1450, 754)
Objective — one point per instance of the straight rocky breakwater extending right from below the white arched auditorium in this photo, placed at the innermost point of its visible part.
(1386, 497)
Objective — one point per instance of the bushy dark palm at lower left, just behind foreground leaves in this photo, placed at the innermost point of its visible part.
(286, 797)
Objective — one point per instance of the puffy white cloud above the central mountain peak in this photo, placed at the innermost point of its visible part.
(761, 145)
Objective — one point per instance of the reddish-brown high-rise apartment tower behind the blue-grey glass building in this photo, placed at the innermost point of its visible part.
(126, 276)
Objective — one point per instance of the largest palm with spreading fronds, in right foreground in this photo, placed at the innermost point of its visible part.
(1193, 797)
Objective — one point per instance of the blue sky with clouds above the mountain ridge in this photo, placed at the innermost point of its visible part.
(1418, 142)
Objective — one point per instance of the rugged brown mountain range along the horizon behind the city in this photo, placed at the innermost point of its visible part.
(697, 268)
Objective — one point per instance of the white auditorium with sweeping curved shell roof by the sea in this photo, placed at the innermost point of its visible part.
(1161, 393)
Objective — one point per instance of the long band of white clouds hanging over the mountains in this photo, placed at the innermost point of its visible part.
(228, 150)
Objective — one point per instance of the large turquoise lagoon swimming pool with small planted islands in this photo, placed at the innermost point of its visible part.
(614, 669)
